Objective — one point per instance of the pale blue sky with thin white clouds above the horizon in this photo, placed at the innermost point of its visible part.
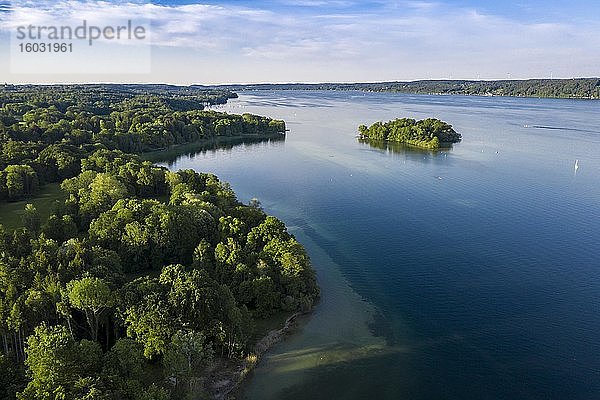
(223, 42)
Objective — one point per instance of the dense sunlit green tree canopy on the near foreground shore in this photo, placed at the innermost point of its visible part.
(139, 278)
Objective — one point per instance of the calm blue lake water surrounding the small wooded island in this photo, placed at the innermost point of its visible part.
(471, 273)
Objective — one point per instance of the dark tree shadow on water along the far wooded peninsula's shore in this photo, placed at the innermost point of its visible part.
(173, 154)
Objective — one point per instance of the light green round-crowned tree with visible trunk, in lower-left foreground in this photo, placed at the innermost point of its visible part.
(92, 296)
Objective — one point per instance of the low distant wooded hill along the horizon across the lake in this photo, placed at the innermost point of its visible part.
(577, 88)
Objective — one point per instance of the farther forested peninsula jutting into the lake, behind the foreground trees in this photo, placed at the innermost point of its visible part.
(46, 131)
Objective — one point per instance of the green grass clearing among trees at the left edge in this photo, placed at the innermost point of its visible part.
(11, 213)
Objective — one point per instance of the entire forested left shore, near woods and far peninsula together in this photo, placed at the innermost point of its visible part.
(143, 282)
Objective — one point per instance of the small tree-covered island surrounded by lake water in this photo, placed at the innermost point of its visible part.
(429, 133)
